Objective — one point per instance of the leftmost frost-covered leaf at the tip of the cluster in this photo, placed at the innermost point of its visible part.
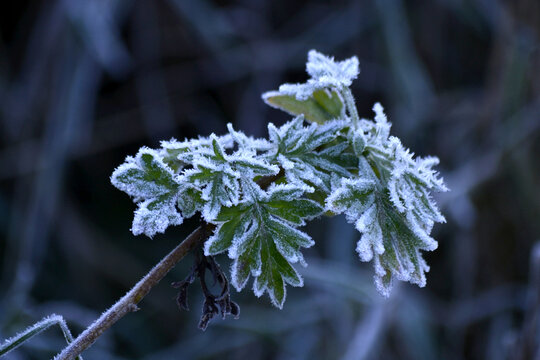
(154, 187)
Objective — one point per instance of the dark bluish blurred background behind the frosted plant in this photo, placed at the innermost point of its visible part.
(83, 83)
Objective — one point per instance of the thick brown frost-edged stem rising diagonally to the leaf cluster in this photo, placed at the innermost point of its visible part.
(129, 302)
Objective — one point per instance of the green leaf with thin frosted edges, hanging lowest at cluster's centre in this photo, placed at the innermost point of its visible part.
(262, 238)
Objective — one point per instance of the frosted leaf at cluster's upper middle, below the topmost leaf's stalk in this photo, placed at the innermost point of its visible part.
(310, 155)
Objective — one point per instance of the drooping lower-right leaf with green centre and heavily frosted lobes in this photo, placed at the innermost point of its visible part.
(392, 239)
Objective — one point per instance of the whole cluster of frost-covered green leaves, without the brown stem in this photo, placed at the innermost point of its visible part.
(259, 192)
